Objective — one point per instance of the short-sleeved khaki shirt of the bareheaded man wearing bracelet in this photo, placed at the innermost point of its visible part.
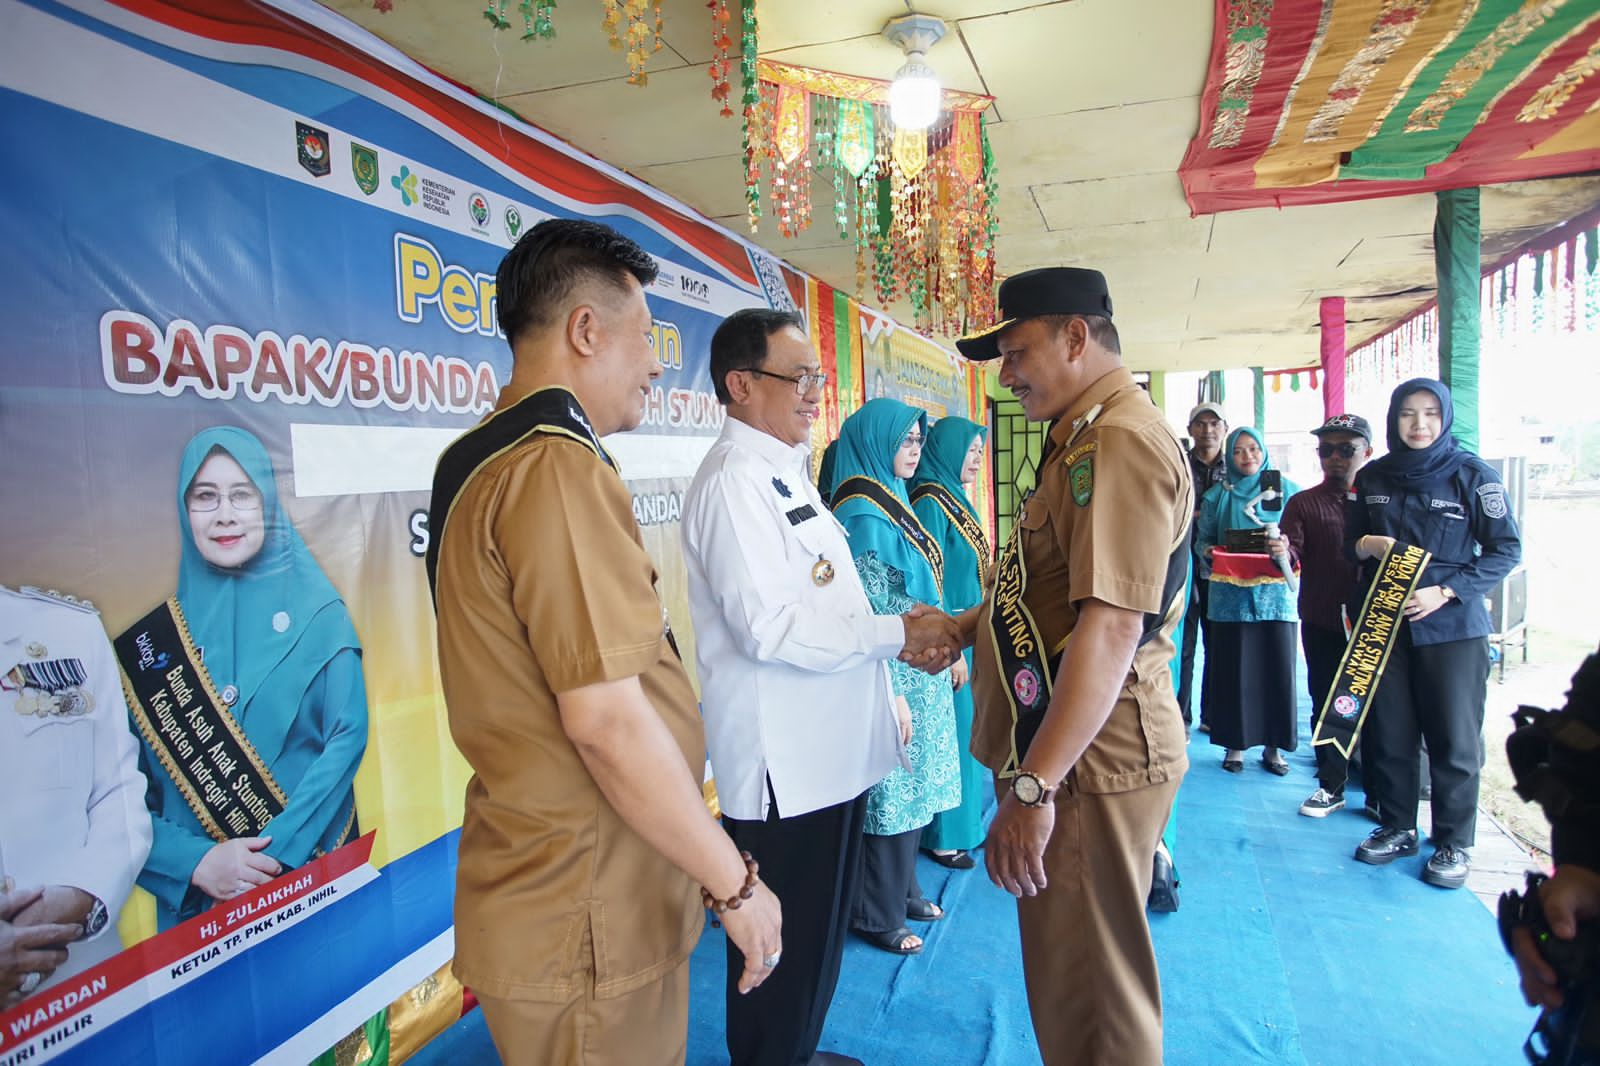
(545, 587)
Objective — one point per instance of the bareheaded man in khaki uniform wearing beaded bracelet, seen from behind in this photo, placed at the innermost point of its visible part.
(585, 832)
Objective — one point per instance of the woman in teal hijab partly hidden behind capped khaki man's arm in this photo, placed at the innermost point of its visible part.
(951, 459)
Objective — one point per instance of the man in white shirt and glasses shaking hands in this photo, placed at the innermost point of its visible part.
(801, 719)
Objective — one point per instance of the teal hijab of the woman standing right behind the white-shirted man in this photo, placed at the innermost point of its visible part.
(868, 443)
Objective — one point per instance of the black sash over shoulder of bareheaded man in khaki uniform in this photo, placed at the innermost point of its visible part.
(553, 411)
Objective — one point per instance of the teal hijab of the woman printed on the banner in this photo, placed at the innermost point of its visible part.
(270, 627)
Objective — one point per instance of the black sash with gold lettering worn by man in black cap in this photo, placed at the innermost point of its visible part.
(1020, 649)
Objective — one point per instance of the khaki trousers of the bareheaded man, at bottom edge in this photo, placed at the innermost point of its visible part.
(647, 1027)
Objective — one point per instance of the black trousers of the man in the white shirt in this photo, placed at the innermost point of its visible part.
(814, 867)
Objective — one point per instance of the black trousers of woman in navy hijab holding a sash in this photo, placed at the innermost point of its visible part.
(1434, 692)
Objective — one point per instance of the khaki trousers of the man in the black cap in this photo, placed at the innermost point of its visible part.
(1092, 982)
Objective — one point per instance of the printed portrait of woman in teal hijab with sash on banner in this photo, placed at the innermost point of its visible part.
(247, 691)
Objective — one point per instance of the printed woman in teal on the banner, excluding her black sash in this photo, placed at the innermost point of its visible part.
(279, 647)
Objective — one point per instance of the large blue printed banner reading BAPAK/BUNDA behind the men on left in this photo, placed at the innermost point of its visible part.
(249, 262)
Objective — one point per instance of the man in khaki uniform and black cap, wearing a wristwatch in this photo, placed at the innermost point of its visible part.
(1074, 699)
